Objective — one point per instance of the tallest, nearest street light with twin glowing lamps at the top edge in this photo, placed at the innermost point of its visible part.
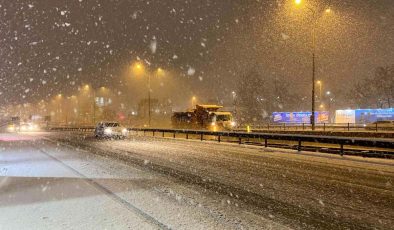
(315, 19)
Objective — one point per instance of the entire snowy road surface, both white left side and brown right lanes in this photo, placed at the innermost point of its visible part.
(68, 179)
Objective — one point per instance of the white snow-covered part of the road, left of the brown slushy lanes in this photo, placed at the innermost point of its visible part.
(48, 185)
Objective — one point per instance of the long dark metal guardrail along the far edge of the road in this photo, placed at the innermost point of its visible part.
(264, 137)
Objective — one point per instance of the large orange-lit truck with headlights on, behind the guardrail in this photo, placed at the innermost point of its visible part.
(203, 117)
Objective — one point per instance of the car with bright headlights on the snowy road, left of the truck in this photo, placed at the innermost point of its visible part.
(110, 130)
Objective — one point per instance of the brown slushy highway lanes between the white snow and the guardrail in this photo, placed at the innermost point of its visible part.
(304, 190)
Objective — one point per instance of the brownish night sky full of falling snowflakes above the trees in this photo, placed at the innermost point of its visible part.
(53, 46)
